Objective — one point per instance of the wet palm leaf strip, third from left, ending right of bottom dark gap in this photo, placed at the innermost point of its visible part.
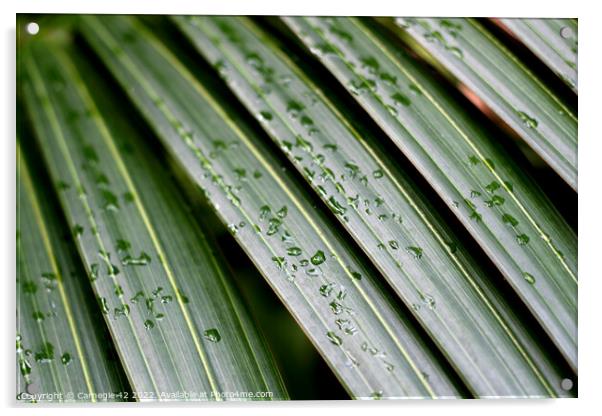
(336, 298)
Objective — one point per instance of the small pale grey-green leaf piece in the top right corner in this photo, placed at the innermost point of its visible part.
(554, 41)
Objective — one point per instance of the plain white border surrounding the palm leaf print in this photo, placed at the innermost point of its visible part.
(590, 201)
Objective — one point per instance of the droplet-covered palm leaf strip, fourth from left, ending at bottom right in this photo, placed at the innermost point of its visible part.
(383, 213)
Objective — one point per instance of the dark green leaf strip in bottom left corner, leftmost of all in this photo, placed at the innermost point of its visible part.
(61, 349)
